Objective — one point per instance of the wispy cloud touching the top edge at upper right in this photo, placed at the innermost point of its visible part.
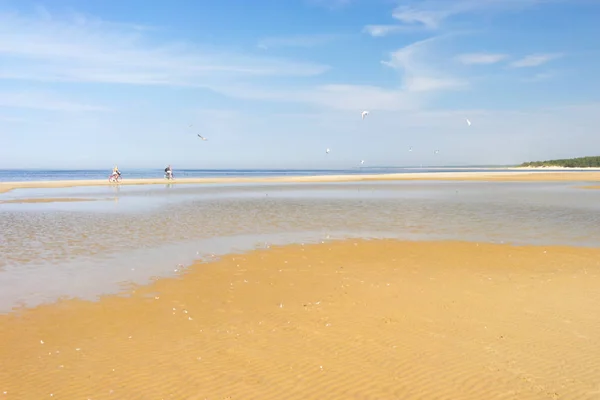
(431, 14)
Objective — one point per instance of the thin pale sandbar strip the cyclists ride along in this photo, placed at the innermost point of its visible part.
(514, 176)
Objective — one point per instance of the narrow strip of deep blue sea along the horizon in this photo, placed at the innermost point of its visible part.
(17, 175)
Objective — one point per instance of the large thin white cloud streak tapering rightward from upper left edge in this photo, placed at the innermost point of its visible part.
(46, 48)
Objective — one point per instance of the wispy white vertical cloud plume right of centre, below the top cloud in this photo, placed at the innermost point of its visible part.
(418, 74)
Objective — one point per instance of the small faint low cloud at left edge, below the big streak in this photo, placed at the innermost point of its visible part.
(44, 101)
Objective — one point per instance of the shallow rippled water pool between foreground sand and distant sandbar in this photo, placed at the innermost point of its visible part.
(133, 233)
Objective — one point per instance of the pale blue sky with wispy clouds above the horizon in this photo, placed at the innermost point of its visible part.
(273, 84)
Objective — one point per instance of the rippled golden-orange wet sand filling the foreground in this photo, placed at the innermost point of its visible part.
(352, 319)
